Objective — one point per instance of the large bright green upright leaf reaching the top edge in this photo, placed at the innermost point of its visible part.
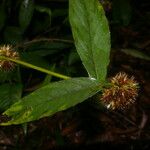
(91, 35)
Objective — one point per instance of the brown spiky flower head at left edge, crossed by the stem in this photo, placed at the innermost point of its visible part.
(7, 51)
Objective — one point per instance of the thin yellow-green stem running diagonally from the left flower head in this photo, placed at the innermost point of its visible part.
(35, 67)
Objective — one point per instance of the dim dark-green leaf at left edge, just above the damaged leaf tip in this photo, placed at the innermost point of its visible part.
(9, 94)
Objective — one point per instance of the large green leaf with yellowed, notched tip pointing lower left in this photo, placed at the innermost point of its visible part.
(52, 98)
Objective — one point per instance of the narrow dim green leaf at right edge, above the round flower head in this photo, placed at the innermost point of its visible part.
(136, 53)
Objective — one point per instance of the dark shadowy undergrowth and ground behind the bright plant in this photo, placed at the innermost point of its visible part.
(45, 39)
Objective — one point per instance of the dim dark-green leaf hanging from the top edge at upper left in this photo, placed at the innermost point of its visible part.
(26, 13)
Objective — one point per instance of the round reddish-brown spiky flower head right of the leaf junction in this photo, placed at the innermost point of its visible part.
(122, 92)
